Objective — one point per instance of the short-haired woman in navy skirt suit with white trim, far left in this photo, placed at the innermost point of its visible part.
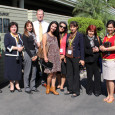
(13, 59)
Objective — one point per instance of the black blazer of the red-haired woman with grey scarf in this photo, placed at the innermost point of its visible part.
(91, 56)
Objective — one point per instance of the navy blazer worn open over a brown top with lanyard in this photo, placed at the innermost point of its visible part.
(78, 46)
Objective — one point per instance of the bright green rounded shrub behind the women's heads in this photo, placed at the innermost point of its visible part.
(84, 22)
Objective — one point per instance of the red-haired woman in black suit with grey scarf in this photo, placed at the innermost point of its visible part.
(92, 43)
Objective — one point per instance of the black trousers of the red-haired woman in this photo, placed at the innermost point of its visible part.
(93, 69)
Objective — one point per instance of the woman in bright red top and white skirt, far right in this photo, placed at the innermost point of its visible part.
(108, 49)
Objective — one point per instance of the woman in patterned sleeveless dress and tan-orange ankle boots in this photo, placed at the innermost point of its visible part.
(51, 40)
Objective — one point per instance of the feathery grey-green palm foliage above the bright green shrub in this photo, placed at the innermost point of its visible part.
(96, 9)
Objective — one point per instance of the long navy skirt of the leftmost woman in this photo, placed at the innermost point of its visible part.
(13, 68)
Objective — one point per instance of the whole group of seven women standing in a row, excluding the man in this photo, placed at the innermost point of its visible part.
(66, 52)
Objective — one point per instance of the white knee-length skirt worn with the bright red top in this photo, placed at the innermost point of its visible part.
(109, 70)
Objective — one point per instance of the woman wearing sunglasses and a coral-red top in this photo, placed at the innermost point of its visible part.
(63, 37)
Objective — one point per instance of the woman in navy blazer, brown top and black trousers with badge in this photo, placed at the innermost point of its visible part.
(74, 56)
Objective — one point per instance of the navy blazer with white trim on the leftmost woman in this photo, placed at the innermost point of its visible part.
(9, 42)
